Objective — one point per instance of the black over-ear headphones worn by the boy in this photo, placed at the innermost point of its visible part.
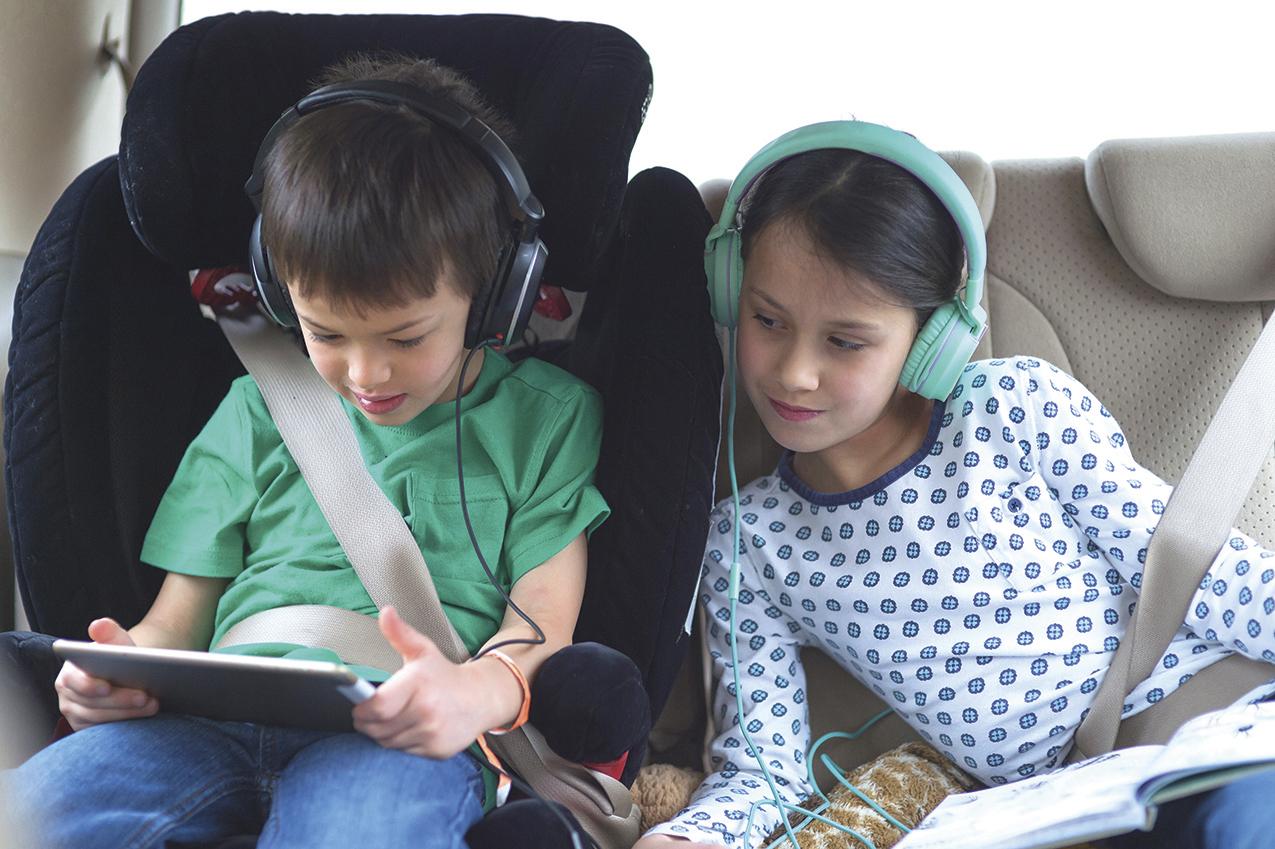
(503, 309)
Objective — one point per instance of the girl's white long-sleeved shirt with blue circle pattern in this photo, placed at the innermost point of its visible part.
(1021, 560)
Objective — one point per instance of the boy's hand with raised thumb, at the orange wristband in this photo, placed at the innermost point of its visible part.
(432, 707)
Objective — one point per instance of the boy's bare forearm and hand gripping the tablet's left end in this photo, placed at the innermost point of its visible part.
(182, 618)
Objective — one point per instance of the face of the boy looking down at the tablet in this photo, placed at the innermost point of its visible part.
(391, 363)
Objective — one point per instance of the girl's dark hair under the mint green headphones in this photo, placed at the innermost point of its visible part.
(868, 215)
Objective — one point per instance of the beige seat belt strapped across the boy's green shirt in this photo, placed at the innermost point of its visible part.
(392, 568)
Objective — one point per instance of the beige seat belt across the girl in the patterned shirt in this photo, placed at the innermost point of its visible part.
(1195, 526)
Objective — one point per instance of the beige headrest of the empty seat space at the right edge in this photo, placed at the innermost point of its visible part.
(1194, 217)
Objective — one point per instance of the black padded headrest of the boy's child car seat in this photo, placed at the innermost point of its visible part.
(201, 105)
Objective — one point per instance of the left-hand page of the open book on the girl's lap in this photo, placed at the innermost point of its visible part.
(1088, 800)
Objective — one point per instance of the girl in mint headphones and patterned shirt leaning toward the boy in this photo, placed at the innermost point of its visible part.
(973, 555)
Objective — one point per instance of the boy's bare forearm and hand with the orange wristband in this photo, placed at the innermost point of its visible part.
(437, 708)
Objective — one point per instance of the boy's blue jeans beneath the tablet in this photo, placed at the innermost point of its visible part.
(169, 778)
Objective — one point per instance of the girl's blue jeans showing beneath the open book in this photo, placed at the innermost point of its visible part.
(1236, 816)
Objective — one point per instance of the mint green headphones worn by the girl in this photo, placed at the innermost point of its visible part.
(947, 344)
